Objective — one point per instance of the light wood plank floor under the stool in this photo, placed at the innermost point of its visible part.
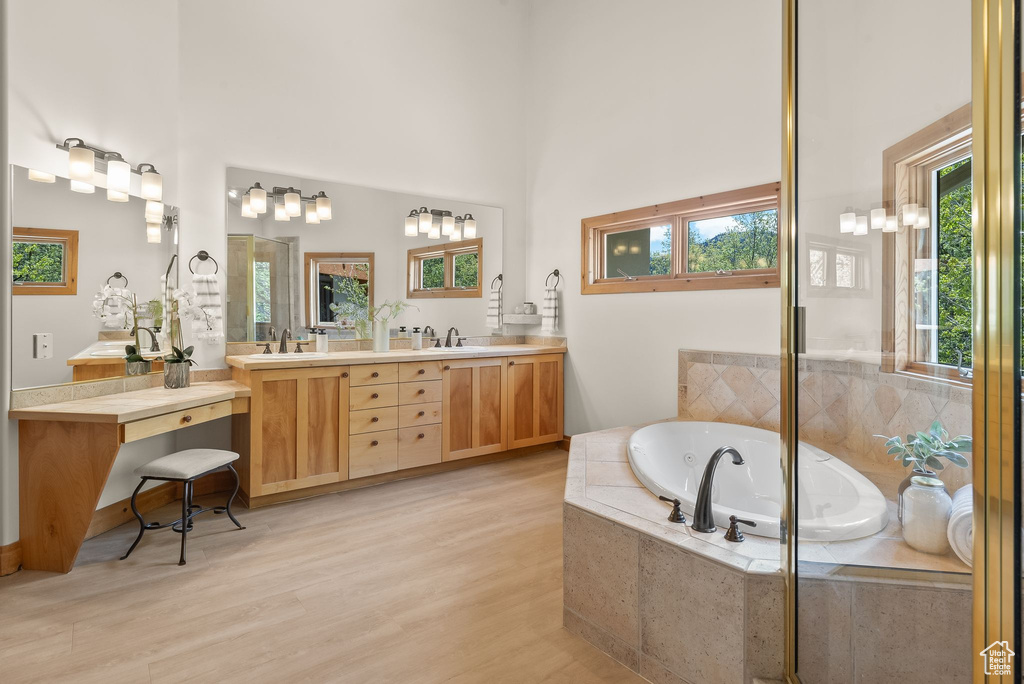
(452, 578)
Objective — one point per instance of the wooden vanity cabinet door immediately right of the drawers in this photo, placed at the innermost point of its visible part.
(475, 410)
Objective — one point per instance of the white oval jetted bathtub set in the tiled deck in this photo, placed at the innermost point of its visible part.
(835, 502)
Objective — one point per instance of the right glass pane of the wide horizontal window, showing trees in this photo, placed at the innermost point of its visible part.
(734, 243)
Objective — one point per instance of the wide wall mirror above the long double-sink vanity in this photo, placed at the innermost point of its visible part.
(295, 265)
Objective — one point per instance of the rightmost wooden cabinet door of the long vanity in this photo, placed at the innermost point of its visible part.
(536, 411)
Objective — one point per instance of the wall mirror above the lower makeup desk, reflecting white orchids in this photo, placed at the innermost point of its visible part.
(68, 247)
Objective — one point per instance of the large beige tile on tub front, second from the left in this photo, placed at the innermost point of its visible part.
(692, 614)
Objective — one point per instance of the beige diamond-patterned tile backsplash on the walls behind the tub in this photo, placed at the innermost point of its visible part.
(843, 405)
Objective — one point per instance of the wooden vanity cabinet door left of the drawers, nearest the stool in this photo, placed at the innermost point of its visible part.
(300, 429)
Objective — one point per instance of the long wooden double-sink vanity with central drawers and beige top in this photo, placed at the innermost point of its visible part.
(333, 422)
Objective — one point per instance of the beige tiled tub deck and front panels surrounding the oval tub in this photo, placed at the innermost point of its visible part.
(676, 606)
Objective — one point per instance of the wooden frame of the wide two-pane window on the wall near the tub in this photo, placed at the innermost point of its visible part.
(678, 215)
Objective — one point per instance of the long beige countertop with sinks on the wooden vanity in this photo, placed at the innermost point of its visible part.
(291, 360)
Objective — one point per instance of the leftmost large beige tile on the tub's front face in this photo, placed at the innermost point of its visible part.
(601, 574)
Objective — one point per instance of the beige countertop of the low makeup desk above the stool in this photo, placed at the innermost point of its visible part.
(129, 407)
